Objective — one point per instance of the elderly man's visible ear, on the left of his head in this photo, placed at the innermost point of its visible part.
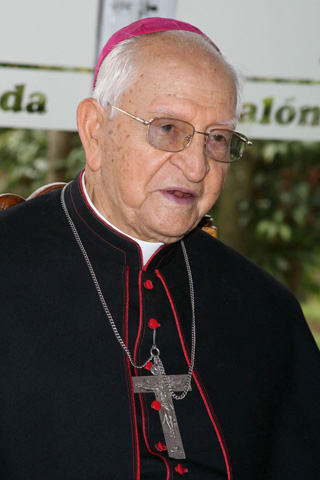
(89, 118)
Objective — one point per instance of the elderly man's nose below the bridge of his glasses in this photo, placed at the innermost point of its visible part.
(192, 161)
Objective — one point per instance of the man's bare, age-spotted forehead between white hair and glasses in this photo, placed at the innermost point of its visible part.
(170, 83)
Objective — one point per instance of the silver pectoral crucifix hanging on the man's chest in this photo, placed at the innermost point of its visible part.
(158, 385)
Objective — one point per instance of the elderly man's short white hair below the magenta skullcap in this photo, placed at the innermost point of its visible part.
(119, 71)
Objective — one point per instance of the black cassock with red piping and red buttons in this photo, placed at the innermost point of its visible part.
(67, 405)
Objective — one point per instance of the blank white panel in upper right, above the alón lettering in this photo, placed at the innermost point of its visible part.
(268, 38)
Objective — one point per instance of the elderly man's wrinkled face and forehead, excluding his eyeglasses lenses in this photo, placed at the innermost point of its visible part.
(147, 193)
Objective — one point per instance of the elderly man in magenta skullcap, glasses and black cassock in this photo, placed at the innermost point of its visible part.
(134, 345)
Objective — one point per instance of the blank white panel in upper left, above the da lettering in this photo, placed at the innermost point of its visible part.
(59, 33)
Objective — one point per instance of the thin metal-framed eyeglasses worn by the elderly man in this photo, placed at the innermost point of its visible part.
(172, 135)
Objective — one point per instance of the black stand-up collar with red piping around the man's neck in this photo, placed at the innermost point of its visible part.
(118, 246)
